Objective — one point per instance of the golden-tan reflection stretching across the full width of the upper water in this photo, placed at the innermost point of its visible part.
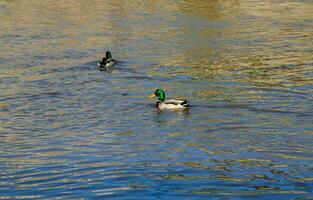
(74, 27)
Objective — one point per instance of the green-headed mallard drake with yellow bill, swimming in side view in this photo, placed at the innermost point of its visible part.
(170, 104)
